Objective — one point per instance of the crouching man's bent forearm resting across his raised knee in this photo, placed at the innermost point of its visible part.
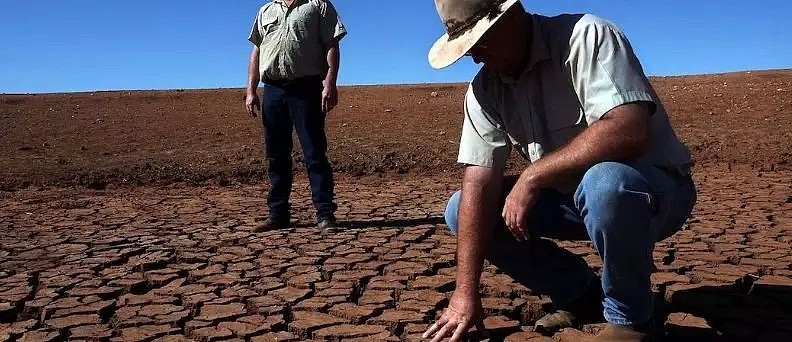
(624, 134)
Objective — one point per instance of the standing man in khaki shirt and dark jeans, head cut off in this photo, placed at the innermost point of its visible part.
(296, 55)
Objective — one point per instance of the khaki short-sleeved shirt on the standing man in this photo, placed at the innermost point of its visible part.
(293, 41)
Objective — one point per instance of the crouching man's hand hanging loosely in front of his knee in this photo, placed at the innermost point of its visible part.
(518, 206)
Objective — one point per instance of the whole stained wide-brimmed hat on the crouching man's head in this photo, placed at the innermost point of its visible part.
(466, 21)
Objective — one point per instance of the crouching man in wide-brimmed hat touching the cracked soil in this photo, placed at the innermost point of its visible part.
(570, 95)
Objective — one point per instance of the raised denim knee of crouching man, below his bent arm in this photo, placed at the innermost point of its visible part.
(605, 184)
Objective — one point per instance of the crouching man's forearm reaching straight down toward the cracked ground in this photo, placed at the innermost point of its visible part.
(477, 217)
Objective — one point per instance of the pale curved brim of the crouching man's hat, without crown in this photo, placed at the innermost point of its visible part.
(447, 50)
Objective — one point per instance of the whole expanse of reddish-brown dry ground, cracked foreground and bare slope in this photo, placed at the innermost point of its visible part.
(104, 234)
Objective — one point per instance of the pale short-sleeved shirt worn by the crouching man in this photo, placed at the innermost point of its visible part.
(580, 67)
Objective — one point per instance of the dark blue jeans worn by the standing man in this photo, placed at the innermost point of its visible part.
(296, 103)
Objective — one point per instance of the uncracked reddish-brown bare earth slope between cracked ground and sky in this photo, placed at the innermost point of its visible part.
(204, 136)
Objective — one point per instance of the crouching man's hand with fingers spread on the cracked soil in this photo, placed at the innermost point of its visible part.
(464, 311)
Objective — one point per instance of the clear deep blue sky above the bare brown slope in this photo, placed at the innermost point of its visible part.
(83, 45)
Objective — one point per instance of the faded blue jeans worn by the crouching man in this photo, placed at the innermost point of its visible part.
(623, 209)
